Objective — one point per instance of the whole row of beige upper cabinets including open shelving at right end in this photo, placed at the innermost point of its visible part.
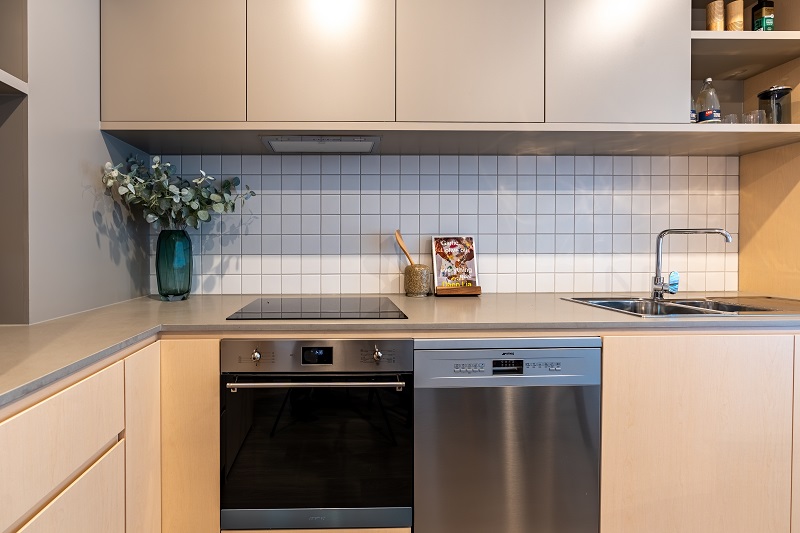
(470, 76)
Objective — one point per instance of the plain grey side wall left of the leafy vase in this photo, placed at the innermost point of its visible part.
(82, 253)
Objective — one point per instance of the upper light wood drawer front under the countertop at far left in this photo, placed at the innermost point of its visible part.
(46, 444)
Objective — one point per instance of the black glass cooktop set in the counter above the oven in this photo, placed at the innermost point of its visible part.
(335, 307)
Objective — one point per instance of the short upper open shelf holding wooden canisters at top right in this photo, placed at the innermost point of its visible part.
(737, 55)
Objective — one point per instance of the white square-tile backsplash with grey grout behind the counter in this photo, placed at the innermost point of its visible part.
(325, 224)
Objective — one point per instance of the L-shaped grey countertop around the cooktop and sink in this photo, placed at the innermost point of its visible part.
(35, 356)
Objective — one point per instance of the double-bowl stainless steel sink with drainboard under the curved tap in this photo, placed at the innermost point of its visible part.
(735, 306)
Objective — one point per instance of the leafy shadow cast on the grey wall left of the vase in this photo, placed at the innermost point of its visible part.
(124, 234)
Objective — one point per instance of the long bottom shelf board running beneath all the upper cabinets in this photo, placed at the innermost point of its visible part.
(468, 138)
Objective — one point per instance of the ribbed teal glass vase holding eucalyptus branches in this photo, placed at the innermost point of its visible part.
(174, 264)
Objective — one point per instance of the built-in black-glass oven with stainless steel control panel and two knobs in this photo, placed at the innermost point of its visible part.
(316, 434)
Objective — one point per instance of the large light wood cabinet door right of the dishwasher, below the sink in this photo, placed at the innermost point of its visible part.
(697, 434)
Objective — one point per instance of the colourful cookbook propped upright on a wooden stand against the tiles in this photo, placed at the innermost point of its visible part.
(454, 266)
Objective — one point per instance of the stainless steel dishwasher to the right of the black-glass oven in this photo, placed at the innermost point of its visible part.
(507, 435)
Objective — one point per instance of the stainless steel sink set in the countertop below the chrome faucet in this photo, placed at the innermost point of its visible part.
(649, 307)
